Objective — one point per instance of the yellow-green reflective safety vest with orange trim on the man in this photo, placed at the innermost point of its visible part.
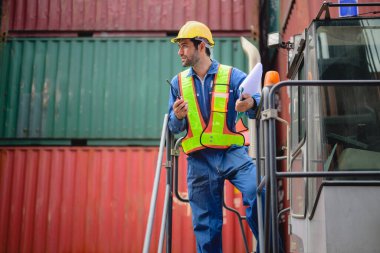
(216, 134)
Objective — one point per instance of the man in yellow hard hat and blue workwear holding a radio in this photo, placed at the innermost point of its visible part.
(204, 100)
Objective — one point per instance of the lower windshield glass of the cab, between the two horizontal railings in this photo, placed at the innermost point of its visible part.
(350, 127)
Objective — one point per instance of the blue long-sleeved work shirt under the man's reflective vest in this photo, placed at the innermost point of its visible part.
(203, 91)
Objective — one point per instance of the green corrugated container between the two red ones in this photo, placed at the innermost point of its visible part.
(107, 89)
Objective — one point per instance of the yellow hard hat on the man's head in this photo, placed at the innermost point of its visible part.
(194, 29)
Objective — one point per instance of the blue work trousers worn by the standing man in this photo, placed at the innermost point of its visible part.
(207, 170)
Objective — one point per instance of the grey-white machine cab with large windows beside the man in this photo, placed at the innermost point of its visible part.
(334, 147)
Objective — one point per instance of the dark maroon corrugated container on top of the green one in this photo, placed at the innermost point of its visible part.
(131, 15)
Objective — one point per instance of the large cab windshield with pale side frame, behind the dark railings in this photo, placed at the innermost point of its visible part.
(343, 129)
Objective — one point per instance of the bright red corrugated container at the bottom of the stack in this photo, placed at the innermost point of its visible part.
(66, 199)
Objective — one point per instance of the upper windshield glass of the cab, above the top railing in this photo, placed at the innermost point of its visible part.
(348, 49)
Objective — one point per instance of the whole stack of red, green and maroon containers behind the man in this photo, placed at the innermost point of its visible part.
(83, 94)
